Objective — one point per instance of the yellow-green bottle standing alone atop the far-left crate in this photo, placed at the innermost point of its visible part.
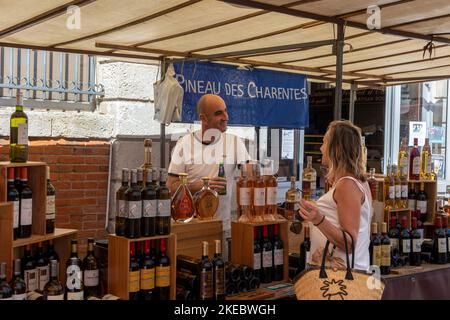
(18, 145)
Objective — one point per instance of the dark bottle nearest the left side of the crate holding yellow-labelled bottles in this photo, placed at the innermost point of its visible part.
(91, 273)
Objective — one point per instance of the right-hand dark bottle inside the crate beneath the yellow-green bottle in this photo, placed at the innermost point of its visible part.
(26, 205)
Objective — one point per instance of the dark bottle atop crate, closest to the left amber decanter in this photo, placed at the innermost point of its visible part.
(164, 206)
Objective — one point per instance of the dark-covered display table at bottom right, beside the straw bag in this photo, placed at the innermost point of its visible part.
(429, 282)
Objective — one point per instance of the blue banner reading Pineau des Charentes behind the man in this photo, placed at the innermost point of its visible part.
(257, 97)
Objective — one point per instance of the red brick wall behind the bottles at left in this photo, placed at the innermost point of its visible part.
(79, 172)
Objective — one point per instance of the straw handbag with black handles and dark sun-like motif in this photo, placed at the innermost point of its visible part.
(338, 284)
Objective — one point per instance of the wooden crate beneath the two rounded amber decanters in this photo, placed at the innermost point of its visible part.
(190, 236)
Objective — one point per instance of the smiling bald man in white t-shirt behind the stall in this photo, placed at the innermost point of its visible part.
(199, 154)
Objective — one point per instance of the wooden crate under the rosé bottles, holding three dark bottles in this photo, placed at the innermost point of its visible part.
(242, 243)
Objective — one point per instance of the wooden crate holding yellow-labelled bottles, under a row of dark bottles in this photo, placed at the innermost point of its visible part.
(119, 263)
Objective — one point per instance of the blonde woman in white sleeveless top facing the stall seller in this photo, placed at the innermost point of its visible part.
(347, 205)
